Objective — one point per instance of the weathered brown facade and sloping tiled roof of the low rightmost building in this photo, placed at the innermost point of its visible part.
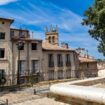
(87, 67)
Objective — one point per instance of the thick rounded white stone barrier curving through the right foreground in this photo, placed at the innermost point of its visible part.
(81, 90)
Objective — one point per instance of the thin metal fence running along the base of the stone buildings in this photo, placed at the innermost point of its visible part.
(42, 76)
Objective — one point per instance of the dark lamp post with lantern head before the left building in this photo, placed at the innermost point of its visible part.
(19, 44)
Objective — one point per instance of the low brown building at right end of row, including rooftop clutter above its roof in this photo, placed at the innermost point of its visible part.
(87, 64)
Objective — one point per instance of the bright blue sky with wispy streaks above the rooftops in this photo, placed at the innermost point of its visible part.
(67, 14)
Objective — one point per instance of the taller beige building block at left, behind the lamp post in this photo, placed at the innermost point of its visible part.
(27, 59)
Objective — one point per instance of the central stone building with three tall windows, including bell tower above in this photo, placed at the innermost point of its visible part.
(59, 61)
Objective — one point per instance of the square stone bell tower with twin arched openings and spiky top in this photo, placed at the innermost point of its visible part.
(52, 35)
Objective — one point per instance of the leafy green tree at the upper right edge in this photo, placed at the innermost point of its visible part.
(95, 19)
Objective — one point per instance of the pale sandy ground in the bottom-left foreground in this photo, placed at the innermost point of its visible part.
(26, 98)
